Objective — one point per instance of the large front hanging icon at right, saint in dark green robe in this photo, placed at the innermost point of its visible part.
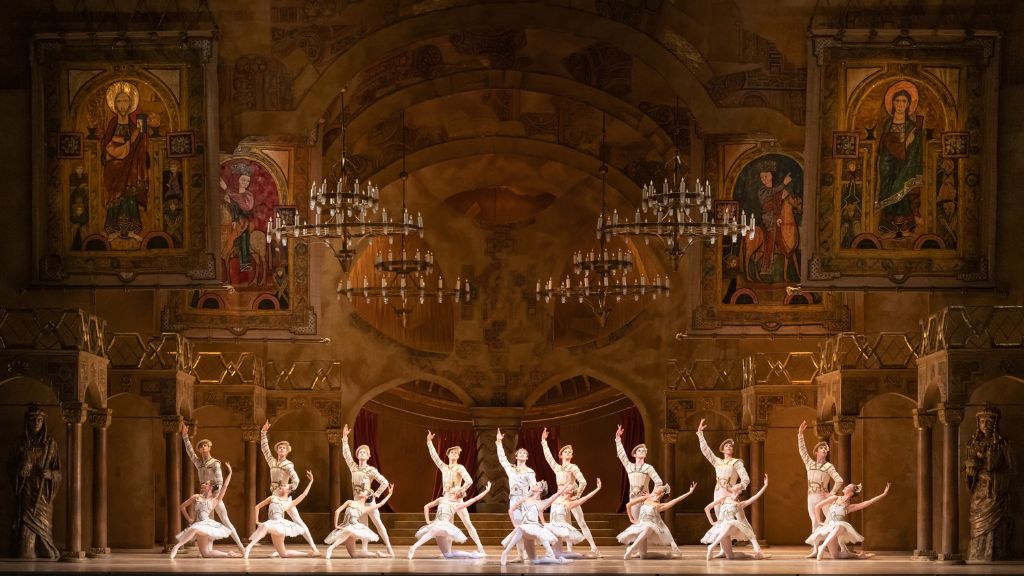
(907, 174)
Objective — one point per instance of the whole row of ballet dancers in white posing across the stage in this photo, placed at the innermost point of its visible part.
(828, 509)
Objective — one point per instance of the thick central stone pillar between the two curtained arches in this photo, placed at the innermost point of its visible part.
(487, 421)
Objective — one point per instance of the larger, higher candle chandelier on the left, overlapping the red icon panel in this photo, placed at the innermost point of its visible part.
(343, 217)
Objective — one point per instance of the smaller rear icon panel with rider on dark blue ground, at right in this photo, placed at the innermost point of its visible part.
(756, 281)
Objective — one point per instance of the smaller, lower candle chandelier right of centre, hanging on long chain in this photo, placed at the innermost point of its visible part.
(603, 275)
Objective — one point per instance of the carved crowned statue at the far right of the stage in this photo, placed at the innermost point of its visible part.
(988, 469)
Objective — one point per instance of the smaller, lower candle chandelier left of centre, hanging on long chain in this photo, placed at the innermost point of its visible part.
(404, 275)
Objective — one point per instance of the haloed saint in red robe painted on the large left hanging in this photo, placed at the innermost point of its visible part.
(125, 158)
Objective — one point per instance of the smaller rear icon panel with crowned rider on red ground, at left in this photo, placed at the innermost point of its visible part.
(266, 285)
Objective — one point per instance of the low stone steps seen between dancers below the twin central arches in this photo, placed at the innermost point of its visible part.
(492, 528)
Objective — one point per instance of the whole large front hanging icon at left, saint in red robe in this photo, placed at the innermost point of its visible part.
(125, 167)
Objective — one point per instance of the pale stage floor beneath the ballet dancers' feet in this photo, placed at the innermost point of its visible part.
(786, 560)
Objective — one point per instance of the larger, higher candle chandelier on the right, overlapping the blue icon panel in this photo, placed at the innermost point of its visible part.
(679, 216)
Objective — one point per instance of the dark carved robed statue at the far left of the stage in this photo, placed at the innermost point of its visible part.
(36, 467)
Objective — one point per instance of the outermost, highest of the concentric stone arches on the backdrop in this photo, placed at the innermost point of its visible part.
(677, 77)
